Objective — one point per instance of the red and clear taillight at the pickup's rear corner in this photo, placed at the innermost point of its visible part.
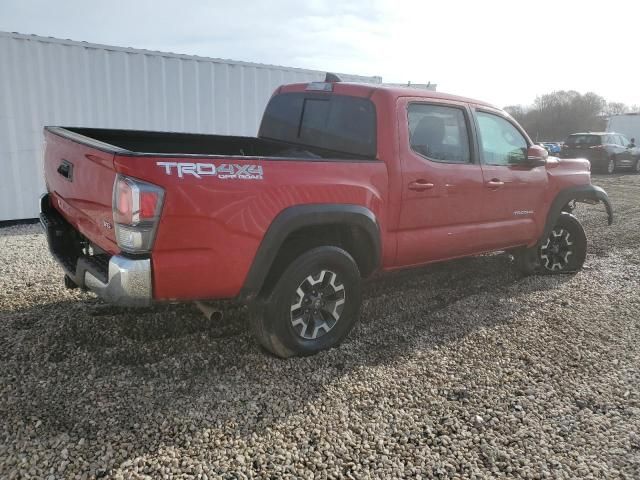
(136, 213)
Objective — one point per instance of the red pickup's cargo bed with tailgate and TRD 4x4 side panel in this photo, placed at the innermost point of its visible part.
(212, 225)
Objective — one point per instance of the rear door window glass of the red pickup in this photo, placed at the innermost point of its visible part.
(439, 133)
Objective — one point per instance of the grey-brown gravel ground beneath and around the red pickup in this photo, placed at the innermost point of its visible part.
(464, 370)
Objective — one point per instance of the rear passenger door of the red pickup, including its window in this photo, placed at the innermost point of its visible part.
(441, 181)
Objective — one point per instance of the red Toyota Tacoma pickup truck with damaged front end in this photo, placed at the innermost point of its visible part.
(343, 181)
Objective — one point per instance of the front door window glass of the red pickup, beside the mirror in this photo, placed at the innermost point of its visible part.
(500, 142)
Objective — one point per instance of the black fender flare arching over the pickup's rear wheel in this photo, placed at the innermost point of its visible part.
(300, 216)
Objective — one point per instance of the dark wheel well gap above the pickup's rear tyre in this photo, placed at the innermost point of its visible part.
(351, 238)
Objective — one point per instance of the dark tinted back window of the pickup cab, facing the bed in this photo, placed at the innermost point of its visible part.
(337, 123)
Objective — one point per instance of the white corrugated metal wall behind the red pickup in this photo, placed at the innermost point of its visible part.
(46, 81)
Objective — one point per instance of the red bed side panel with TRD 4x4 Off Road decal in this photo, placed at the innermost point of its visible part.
(211, 228)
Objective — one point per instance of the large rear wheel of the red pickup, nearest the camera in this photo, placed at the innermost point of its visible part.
(312, 307)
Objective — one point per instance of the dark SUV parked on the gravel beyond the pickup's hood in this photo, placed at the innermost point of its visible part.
(606, 151)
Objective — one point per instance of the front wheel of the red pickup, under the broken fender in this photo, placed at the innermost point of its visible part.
(563, 251)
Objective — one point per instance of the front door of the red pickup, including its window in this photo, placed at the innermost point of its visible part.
(512, 199)
